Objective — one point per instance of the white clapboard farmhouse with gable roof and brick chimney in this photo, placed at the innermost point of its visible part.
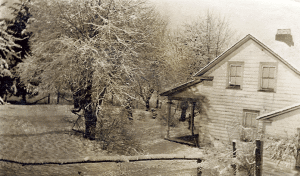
(247, 81)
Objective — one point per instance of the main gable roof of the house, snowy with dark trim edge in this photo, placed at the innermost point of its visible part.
(291, 54)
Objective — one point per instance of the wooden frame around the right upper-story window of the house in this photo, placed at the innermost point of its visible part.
(260, 80)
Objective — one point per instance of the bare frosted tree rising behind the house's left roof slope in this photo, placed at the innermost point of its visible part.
(207, 37)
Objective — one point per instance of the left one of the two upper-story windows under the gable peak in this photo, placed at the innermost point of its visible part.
(235, 75)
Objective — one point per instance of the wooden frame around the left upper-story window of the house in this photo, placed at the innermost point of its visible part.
(237, 63)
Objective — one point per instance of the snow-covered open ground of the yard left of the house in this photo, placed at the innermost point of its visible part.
(43, 132)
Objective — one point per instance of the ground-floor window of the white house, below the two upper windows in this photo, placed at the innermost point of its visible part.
(249, 125)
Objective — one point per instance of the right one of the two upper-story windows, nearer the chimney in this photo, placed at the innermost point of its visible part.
(268, 76)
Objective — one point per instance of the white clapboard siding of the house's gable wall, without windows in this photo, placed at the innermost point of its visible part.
(227, 105)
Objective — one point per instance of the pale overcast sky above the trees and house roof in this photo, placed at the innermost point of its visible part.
(260, 18)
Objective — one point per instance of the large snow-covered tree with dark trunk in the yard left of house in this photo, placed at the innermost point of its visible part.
(90, 47)
